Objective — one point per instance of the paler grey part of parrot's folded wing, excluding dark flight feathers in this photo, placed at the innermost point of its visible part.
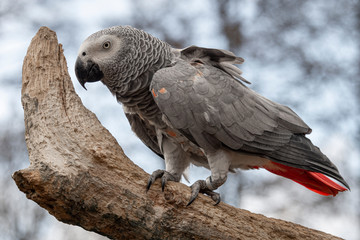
(230, 112)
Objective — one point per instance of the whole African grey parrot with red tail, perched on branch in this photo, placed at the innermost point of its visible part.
(190, 106)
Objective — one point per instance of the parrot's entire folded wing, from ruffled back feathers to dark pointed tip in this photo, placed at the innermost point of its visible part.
(212, 108)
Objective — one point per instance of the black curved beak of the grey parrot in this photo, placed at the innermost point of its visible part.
(87, 72)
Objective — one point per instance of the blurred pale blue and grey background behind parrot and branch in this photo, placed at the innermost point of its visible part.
(304, 54)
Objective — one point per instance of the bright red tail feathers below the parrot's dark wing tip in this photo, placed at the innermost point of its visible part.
(314, 181)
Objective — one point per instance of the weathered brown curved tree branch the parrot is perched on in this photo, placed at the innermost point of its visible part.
(80, 174)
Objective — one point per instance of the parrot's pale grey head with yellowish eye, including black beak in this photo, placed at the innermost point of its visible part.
(101, 55)
